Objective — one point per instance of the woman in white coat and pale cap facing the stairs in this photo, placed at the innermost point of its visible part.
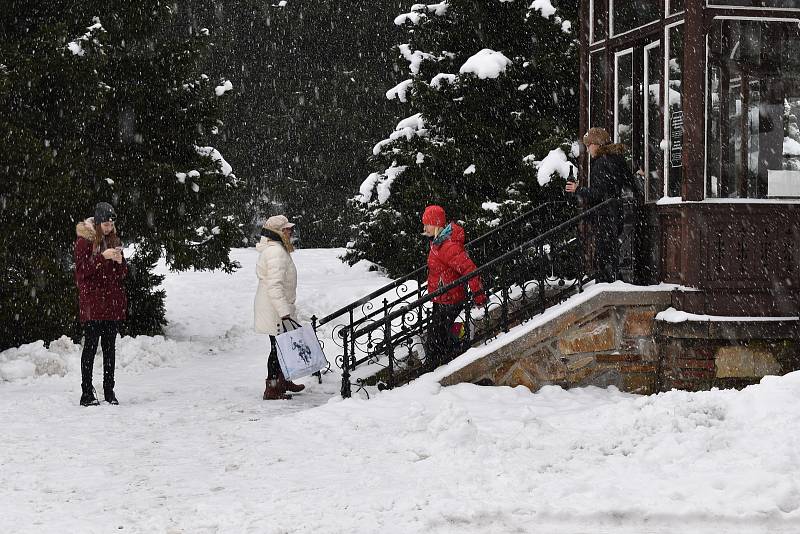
(275, 297)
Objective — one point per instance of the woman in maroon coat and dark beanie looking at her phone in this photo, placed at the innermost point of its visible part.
(100, 269)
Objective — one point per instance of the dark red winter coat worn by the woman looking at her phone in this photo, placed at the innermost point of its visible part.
(101, 293)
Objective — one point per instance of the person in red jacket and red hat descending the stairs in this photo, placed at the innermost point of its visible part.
(447, 262)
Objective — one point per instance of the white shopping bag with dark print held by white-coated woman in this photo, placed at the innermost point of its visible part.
(299, 351)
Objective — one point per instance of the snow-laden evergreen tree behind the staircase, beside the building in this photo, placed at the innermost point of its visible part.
(493, 86)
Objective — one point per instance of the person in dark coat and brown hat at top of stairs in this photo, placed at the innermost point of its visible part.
(609, 172)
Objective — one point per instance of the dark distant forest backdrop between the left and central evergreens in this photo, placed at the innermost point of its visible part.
(309, 81)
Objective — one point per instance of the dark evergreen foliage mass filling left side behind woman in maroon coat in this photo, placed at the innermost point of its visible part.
(114, 122)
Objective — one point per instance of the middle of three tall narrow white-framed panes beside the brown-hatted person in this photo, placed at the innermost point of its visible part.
(653, 116)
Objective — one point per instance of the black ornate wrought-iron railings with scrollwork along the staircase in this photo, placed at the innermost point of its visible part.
(522, 280)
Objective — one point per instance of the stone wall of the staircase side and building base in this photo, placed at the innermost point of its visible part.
(614, 339)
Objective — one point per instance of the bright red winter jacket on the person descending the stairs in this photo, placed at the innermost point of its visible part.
(447, 262)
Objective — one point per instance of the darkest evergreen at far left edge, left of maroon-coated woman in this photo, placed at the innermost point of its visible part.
(46, 98)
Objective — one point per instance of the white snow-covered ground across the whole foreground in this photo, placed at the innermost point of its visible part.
(192, 448)
